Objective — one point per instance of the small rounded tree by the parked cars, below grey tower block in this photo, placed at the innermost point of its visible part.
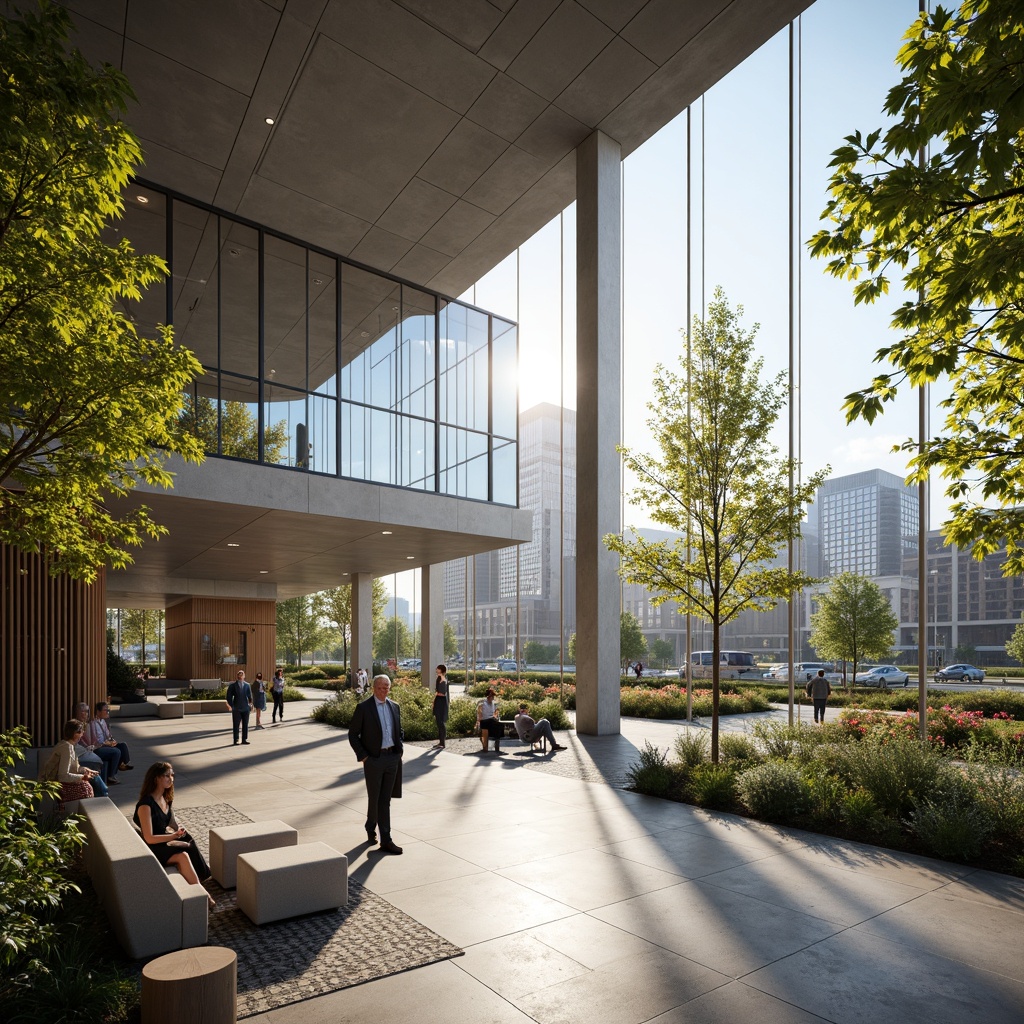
(855, 621)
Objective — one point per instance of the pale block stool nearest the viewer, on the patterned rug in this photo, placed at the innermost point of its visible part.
(291, 881)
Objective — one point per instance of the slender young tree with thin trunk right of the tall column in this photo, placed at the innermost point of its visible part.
(719, 483)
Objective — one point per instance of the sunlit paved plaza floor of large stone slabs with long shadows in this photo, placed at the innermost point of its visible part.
(578, 902)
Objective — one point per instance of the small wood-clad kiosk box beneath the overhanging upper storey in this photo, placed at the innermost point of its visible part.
(222, 620)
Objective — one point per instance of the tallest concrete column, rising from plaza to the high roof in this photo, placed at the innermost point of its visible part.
(599, 411)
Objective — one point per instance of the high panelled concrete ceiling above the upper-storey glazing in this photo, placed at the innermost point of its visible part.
(428, 139)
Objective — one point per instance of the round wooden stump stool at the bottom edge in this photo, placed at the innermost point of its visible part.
(198, 986)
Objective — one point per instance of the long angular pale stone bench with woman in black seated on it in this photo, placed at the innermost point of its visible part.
(152, 911)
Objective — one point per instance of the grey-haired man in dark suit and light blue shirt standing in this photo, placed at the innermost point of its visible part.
(376, 738)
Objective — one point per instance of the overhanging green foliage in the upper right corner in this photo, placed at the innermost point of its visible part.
(949, 226)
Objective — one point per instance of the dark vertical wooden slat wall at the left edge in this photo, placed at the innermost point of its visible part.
(53, 646)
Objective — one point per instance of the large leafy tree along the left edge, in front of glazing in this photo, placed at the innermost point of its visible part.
(88, 406)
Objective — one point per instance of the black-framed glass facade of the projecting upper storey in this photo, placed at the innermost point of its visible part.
(313, 364)
